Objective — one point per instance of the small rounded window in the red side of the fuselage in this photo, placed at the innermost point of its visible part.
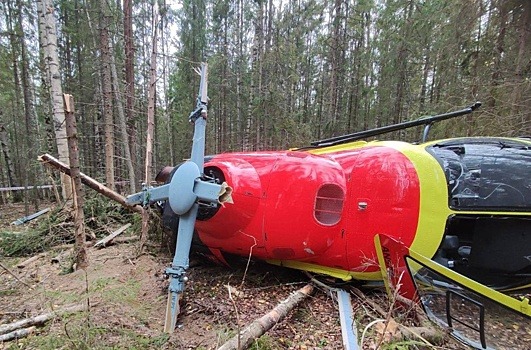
(329, 204)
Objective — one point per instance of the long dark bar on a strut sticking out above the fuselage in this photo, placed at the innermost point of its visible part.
(426, 121)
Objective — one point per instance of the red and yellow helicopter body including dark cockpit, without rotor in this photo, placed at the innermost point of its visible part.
(465, 203)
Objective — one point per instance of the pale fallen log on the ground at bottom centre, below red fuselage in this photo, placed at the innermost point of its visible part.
(261, 325)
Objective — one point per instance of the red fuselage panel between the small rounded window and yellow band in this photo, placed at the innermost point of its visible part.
(383, 195)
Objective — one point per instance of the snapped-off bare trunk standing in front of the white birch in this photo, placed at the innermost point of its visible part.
(80, 253)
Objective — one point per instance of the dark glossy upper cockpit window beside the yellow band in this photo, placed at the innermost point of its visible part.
(483, 175)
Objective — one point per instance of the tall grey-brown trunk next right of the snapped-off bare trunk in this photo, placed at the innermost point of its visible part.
(107, 94)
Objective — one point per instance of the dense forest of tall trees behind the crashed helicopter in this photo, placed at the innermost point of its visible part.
(282, 73)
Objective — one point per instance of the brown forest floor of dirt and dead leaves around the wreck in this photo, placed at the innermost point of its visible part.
(126, 294)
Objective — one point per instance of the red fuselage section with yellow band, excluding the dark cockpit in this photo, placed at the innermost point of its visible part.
(319, 210)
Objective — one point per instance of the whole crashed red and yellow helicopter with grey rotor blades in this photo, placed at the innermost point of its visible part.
(353, 209)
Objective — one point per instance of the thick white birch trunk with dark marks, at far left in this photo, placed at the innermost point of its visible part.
(48, 37)
